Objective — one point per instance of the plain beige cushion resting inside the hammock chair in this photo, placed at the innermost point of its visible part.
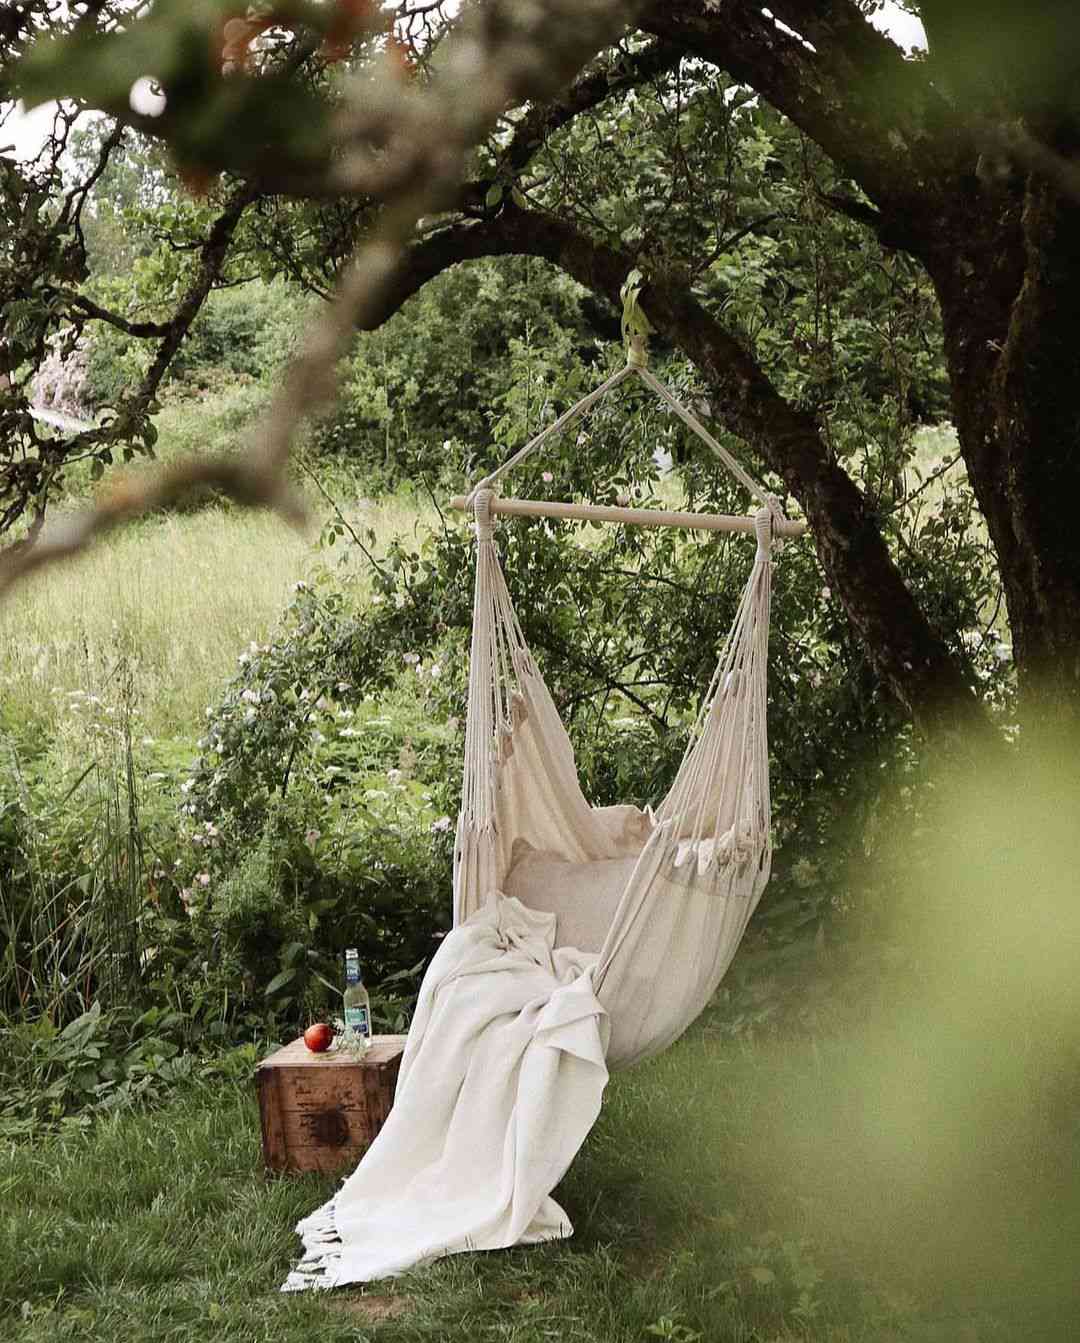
(584, 896)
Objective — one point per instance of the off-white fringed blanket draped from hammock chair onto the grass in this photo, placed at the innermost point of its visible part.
(500, 1083)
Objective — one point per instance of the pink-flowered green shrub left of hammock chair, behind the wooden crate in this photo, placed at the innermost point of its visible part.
(308, 823)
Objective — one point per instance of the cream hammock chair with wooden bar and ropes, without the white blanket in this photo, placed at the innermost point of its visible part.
(660, 896)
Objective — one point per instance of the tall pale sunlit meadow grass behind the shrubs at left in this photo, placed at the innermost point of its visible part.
(181, 597)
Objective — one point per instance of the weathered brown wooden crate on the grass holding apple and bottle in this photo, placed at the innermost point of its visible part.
(320, 1113)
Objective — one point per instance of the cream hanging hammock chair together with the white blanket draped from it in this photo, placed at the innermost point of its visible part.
(508, 1055)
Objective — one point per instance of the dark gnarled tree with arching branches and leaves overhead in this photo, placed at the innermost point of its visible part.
(844, 240)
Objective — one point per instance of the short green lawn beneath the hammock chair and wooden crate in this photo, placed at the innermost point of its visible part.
(690, 1225)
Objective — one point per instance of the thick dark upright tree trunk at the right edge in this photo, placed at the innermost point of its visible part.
(1008, 279)
